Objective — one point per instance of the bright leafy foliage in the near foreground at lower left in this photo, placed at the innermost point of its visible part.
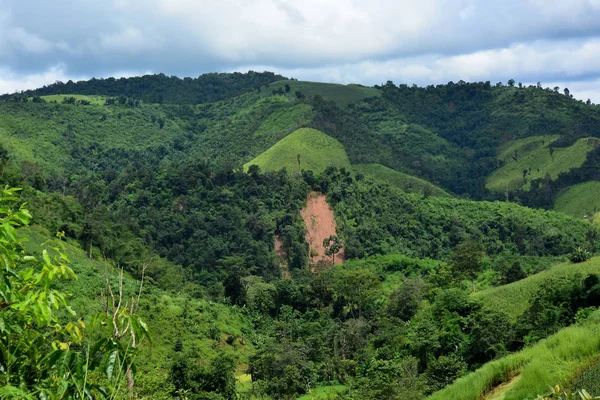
(40, 355)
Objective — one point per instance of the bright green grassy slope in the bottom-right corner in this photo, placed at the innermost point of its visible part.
(555, 360)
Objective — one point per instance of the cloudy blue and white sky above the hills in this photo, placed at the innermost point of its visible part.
(555, 42)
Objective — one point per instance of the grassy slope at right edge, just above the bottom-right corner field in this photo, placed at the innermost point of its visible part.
(514, 298)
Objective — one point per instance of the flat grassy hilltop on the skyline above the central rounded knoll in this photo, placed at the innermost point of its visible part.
(341, 94)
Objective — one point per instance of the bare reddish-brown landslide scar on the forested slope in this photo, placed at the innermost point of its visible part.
(320, 224)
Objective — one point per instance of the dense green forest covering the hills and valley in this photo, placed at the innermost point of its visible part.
(147, 195)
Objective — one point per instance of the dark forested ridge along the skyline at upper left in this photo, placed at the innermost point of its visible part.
(160, 88)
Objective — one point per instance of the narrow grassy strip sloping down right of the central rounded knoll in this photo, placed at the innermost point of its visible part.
(403, 181)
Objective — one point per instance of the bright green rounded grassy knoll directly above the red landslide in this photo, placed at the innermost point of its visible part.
(316, 150)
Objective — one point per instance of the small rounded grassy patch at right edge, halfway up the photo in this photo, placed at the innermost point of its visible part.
(580, 200)
